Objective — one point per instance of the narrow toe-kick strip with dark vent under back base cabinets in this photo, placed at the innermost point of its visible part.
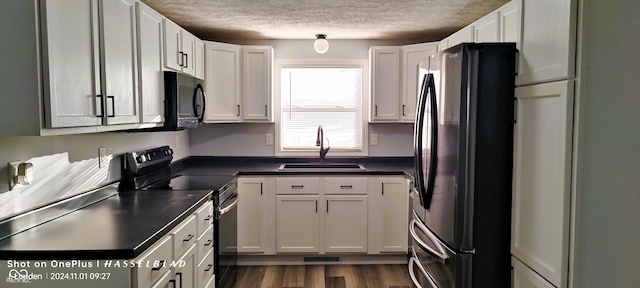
(344, 259)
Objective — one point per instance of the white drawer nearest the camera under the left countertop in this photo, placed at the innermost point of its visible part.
(159, 252)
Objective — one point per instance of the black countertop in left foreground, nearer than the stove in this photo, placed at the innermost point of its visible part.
(119, 227)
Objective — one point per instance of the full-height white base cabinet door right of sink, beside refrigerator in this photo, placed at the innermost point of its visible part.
(389, 215)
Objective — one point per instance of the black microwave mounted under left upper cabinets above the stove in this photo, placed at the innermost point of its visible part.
(184, 101)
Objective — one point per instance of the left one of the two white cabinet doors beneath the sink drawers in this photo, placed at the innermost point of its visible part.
(298, 223)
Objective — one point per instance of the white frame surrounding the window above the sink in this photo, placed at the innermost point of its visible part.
(320, 63)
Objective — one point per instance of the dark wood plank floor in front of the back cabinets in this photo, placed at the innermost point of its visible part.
(321, 276)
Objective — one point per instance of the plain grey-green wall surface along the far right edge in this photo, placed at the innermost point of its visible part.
(607, 252)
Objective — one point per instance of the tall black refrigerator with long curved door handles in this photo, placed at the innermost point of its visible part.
(463, 142)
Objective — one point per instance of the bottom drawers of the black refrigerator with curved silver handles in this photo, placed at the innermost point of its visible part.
(433, 264)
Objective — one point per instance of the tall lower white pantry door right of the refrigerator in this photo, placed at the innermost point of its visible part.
(542, 173)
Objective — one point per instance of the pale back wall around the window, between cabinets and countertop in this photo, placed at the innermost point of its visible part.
(249, 139)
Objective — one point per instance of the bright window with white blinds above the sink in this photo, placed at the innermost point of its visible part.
(330, 94)
